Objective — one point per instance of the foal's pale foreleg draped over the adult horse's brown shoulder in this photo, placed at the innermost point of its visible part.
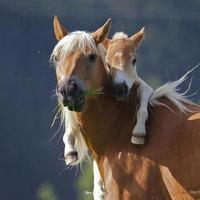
(139, 131)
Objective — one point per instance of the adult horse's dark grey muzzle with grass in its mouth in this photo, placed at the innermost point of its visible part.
(70, 93)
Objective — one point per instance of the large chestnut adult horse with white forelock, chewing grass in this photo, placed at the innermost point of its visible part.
(168, 165)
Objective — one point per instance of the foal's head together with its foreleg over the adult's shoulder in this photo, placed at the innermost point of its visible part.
(121, 60)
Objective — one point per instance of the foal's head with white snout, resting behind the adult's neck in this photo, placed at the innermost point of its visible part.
(121, 59)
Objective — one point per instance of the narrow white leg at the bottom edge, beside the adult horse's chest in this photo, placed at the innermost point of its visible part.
(98, 190)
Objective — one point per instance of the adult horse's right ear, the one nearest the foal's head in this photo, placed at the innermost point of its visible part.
(101, 33)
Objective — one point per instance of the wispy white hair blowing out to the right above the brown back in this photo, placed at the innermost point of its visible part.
(170, 91)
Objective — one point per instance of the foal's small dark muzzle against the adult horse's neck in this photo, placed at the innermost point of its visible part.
(120, 91)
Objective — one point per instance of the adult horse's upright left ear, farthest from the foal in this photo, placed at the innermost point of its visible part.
(59, 29)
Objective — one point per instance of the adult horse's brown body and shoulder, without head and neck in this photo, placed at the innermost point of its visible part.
(171, 153)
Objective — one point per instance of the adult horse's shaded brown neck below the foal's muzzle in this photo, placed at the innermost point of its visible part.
(105, 120)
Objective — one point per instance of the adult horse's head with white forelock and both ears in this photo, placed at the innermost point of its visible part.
(78, 62)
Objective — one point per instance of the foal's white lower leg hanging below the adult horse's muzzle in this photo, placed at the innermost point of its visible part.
(70, 153)
